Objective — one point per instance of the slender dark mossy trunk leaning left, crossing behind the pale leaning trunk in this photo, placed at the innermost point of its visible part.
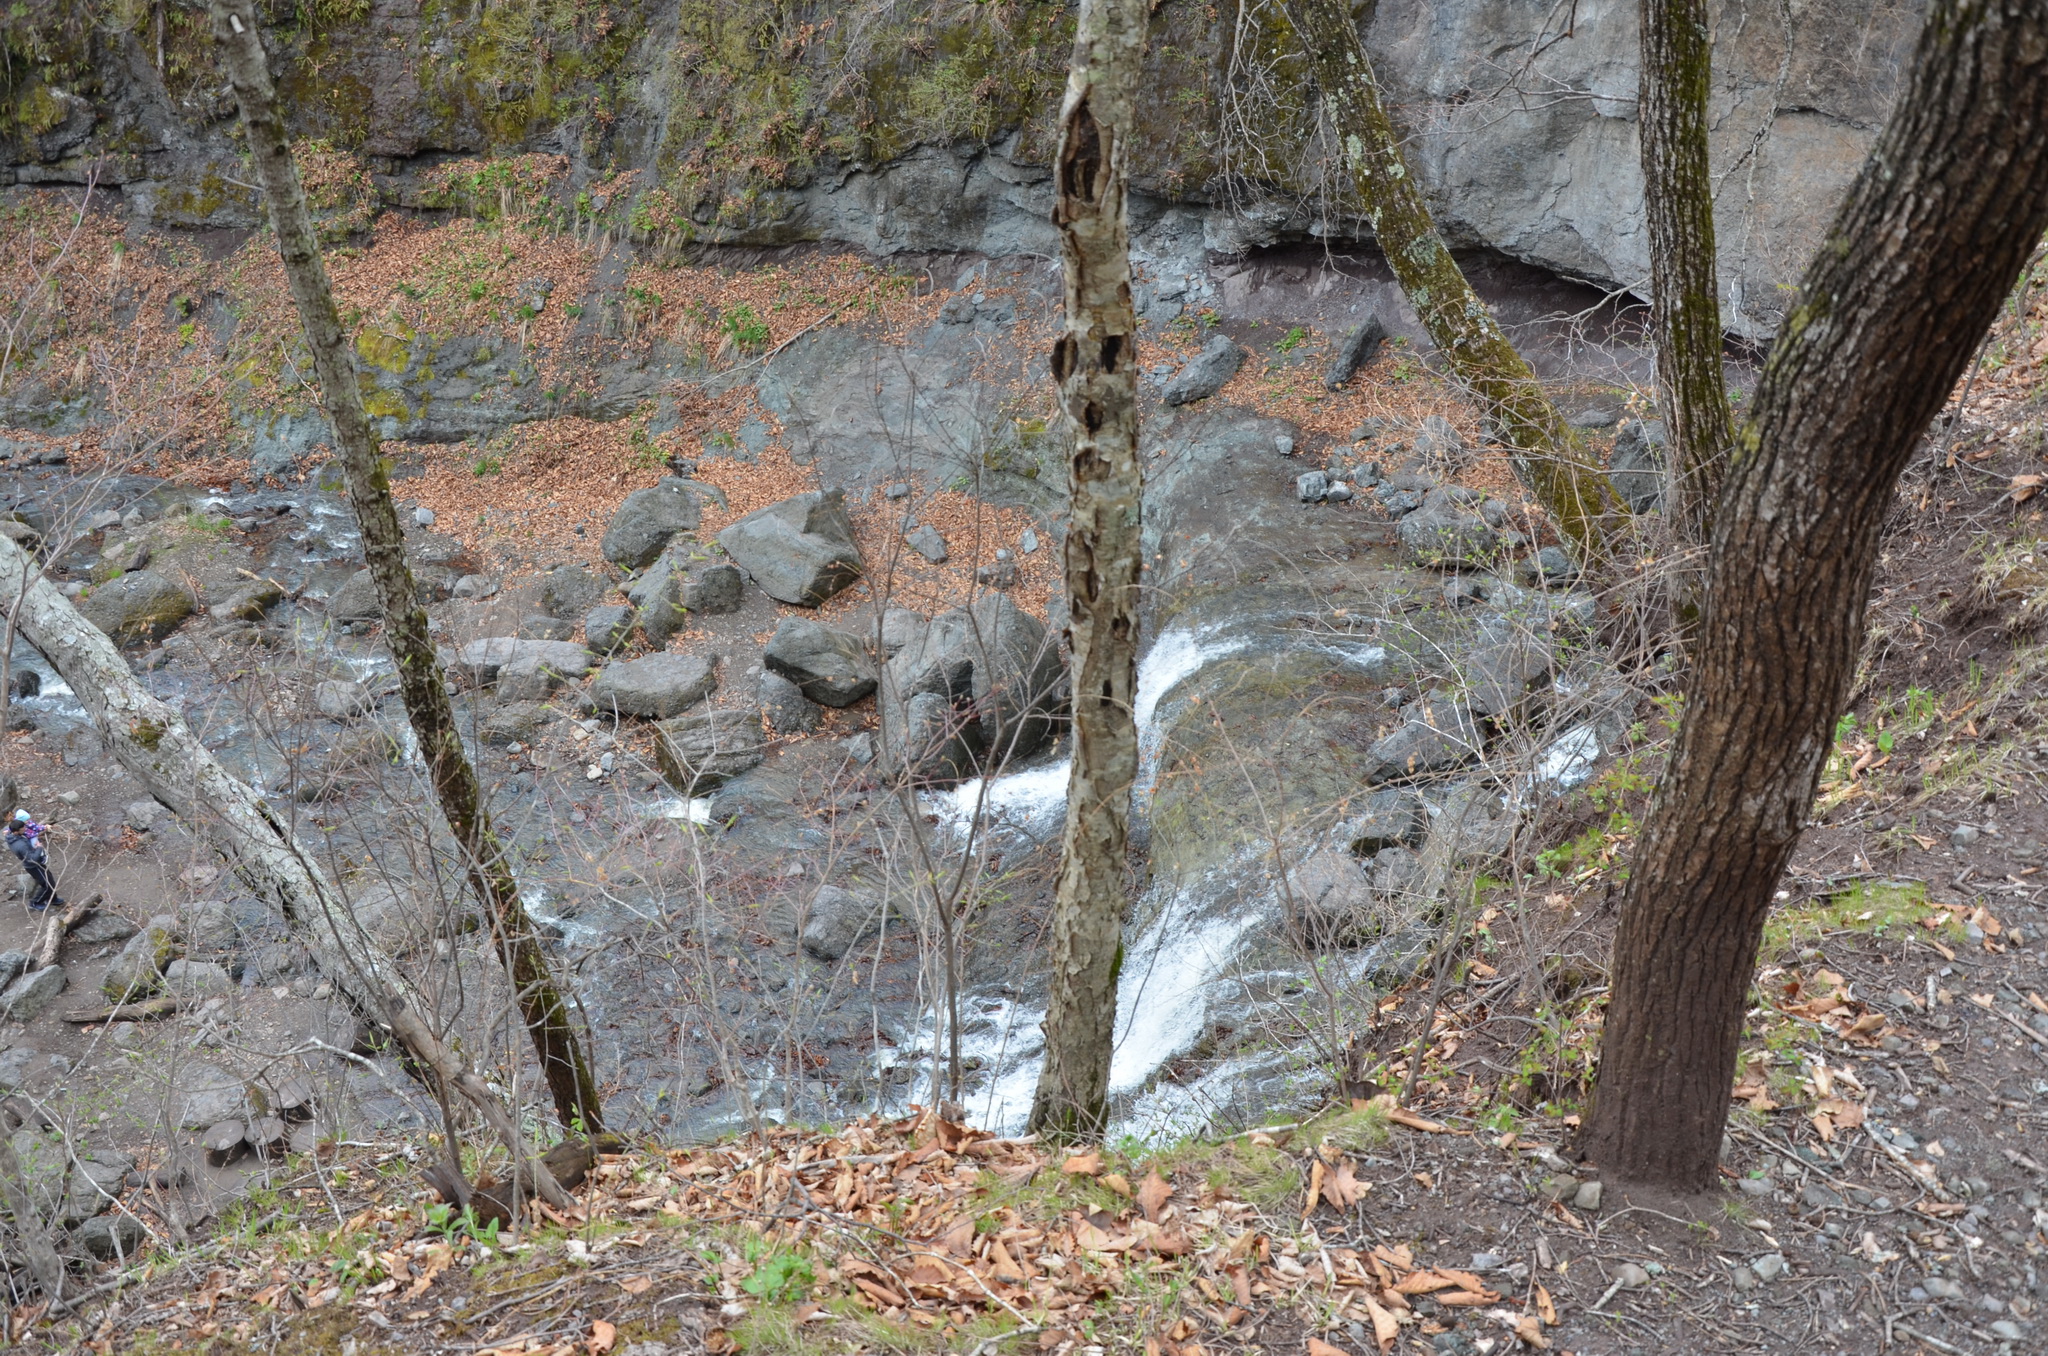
(419, 671)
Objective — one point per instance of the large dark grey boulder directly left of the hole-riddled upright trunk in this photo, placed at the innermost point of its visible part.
(976, 681)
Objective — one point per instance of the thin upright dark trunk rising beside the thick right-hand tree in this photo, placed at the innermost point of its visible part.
(1678, 62)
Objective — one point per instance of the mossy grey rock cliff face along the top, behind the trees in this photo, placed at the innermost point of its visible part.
(927, 126)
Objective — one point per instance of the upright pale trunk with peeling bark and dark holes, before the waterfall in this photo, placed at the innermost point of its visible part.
(1097, 368)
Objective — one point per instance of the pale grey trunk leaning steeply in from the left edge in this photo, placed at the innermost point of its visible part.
(163, 753)
